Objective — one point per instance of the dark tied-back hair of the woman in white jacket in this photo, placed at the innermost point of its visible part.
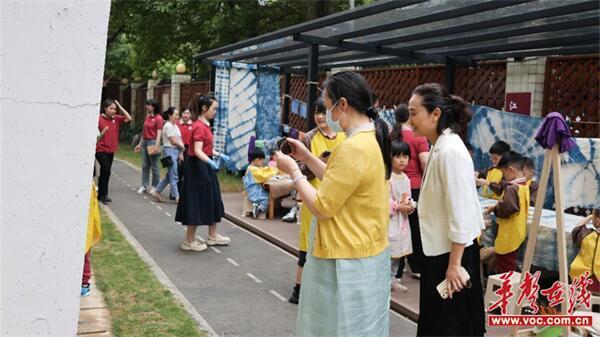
(454, 112)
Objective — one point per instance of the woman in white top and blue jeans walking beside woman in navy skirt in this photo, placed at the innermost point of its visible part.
(173, 148)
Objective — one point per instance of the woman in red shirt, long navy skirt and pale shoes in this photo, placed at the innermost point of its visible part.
(200, 203)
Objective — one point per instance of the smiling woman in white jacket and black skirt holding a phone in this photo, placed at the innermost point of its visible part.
(450, 217)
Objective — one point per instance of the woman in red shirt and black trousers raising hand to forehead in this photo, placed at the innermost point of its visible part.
(109, 123)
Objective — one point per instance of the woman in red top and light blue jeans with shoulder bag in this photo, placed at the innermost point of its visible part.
(150, 145)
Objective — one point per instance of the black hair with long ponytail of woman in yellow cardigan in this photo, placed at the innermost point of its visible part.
(355, 90)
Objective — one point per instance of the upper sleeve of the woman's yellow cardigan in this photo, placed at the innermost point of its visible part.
(343, 175)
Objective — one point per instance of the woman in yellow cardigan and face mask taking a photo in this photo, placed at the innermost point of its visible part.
(345, 283)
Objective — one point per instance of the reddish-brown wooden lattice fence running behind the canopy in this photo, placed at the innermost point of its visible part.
(572, 86)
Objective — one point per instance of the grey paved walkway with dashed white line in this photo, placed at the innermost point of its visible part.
(240, 290)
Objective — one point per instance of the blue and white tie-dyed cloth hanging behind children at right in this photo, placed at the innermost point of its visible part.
(580, 166)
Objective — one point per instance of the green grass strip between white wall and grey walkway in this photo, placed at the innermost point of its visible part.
(138, 302)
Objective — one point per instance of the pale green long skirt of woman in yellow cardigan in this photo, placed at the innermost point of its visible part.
(344, 297)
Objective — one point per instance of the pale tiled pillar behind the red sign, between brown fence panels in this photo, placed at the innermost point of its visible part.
(528, 76)
